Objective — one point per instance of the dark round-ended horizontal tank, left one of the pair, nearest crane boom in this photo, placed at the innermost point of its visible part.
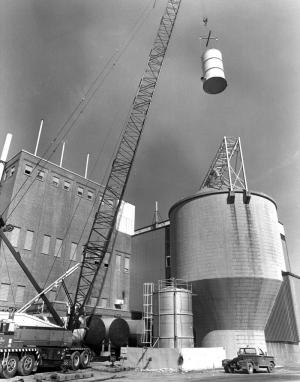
(95, 333)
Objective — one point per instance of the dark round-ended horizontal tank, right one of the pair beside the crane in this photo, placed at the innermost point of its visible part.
(116, 331)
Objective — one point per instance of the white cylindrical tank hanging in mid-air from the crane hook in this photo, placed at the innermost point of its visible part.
(213, 72)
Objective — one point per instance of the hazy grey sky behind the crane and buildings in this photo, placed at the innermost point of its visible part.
(77, 64)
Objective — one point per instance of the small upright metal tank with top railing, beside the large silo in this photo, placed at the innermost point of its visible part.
(173, 317)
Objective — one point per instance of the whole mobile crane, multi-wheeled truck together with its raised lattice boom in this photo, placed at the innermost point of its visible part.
(27, 342)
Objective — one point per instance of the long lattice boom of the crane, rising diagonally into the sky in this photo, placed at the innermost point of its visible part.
(102, 233)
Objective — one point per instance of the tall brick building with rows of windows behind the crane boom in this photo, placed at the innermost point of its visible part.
(52, 210)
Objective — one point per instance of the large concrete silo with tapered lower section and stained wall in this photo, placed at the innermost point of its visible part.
(232, 255)
